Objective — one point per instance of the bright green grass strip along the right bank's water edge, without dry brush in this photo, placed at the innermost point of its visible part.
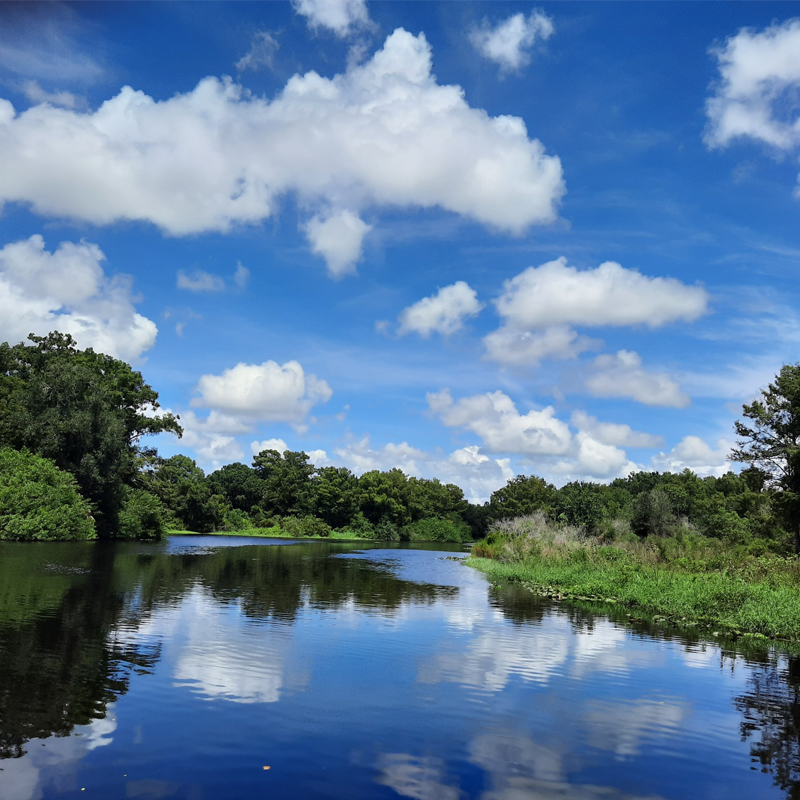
(723, 600)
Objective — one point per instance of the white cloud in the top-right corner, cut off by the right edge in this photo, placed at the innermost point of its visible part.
(756, 94)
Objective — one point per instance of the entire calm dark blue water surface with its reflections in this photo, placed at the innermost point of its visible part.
(183, 669)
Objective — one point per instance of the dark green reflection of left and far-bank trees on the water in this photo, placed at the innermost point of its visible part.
(66, 613)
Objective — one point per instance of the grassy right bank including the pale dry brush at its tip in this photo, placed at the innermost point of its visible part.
(693, 581)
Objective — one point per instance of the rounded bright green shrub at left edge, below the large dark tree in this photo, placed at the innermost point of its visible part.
(38, 501)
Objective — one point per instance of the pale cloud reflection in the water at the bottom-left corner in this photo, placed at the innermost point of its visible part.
(21, 778)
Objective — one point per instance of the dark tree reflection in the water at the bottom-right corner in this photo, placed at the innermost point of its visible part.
(771, 711)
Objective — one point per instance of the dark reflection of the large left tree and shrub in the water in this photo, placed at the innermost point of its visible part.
(59, 666)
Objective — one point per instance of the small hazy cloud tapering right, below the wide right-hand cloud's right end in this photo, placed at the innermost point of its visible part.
(622, 375)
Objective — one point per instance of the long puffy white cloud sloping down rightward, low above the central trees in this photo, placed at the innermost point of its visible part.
(494, 417)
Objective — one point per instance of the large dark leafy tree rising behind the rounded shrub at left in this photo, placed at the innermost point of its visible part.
(85, 411)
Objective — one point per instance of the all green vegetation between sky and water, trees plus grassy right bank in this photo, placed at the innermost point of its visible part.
(709, 551)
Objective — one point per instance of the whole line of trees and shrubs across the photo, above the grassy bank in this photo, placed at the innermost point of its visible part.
(73, 464)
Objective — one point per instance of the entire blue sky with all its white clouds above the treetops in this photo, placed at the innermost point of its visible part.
(466, 239)
